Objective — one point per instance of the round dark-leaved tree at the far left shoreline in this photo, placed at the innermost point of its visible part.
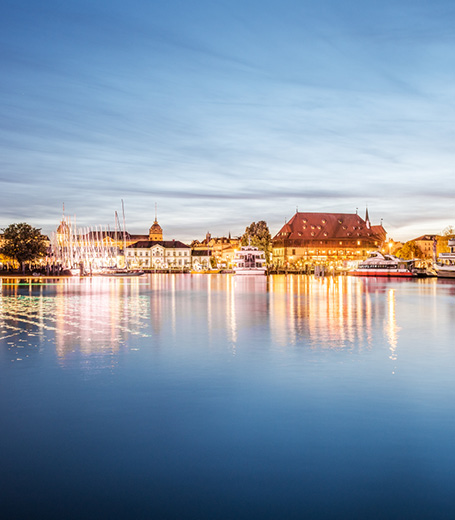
(23, 243)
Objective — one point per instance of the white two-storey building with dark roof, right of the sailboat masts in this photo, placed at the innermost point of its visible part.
(162, 254)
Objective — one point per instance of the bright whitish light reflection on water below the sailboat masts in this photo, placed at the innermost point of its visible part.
(85, 318)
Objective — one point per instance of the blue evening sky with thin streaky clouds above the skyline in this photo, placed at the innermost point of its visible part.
(227, 112)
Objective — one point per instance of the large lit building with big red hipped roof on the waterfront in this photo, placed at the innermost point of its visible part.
(326, 237)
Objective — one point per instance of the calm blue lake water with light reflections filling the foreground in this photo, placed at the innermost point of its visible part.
(216, 397)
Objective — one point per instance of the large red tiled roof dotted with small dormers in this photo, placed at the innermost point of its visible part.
(323, 226)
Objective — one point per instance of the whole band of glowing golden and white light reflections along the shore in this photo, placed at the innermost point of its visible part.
(100, 316)
